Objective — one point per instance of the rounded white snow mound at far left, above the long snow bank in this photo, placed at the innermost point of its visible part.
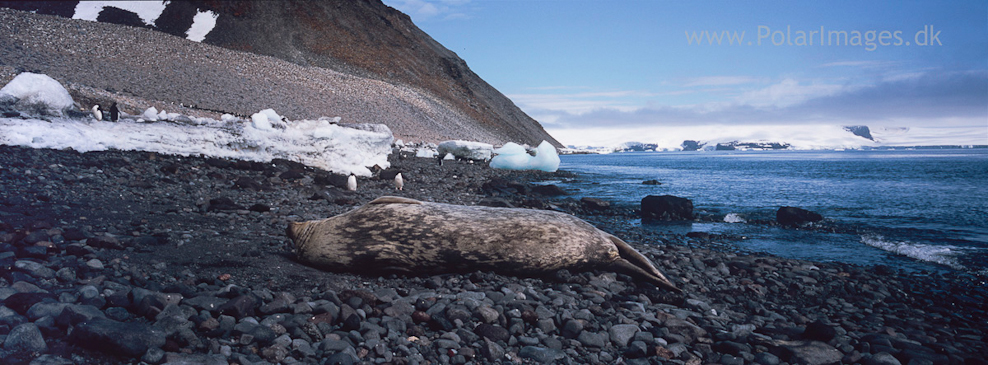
(37, 94)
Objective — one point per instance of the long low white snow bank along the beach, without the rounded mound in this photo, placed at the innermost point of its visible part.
(311, 142)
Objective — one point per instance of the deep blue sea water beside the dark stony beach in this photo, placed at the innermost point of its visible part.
(910, 209)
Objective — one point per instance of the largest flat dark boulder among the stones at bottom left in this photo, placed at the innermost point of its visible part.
(130, 338)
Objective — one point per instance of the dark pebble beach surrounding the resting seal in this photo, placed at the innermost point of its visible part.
(129, 257)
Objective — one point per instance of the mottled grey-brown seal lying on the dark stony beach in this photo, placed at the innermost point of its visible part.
(393, 234)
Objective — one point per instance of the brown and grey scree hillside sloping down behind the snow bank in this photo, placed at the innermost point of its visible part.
(361, 60)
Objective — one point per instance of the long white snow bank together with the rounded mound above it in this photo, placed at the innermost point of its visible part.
(319, 143)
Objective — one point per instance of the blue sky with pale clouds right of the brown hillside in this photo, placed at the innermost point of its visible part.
(632, 68)
